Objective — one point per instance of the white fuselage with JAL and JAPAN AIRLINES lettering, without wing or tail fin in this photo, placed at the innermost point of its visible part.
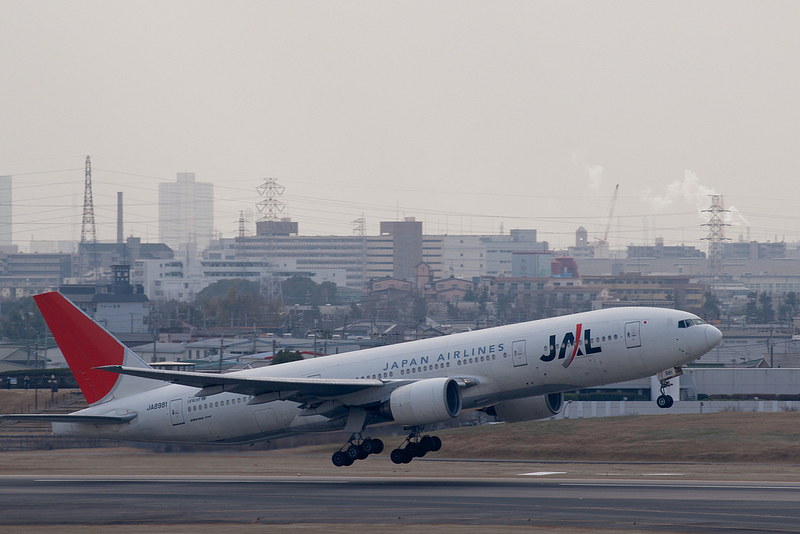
(503, 363)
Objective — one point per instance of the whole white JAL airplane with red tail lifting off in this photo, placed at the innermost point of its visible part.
(517, 372)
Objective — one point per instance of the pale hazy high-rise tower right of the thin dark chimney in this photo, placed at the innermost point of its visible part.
(186, 214)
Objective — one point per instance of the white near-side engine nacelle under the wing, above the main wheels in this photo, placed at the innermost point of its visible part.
(424, 402)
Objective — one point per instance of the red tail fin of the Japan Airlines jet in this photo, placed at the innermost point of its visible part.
(84, 343)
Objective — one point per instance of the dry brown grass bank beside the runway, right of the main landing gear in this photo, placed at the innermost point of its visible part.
(720, 437)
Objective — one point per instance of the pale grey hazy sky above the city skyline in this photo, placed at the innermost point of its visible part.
(466, 115)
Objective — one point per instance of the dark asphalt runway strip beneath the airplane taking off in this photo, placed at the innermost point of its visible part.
(650, 505)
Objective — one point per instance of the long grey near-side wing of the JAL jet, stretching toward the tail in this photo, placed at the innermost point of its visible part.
(211, 383)
